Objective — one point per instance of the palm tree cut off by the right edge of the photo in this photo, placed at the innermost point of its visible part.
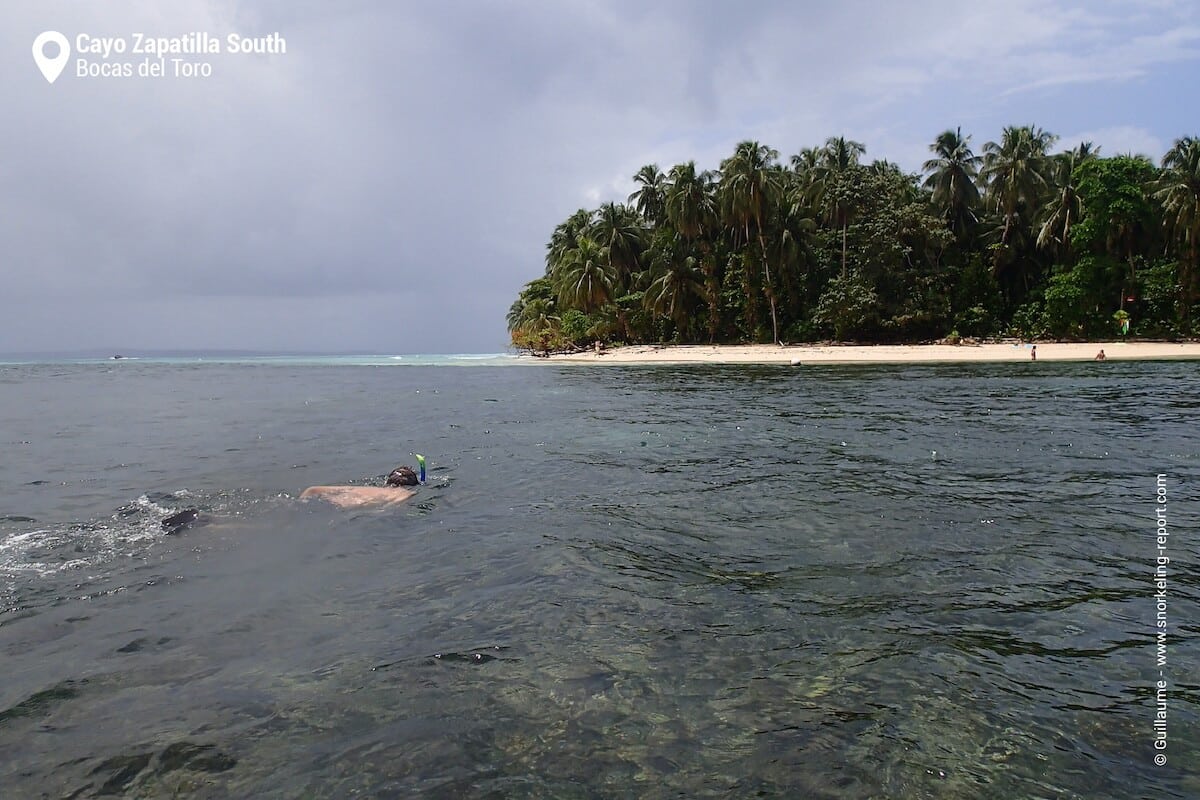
(1179, 191)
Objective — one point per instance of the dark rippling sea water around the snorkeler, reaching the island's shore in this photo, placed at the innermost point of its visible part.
(652, 582)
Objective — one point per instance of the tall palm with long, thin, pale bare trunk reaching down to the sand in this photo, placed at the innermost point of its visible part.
(751, 189)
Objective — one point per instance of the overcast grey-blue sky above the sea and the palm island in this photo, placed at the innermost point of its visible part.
(389, 183)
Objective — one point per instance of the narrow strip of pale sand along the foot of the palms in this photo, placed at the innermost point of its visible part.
(812, 354)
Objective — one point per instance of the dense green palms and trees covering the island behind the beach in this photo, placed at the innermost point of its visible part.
(1013, 242)
